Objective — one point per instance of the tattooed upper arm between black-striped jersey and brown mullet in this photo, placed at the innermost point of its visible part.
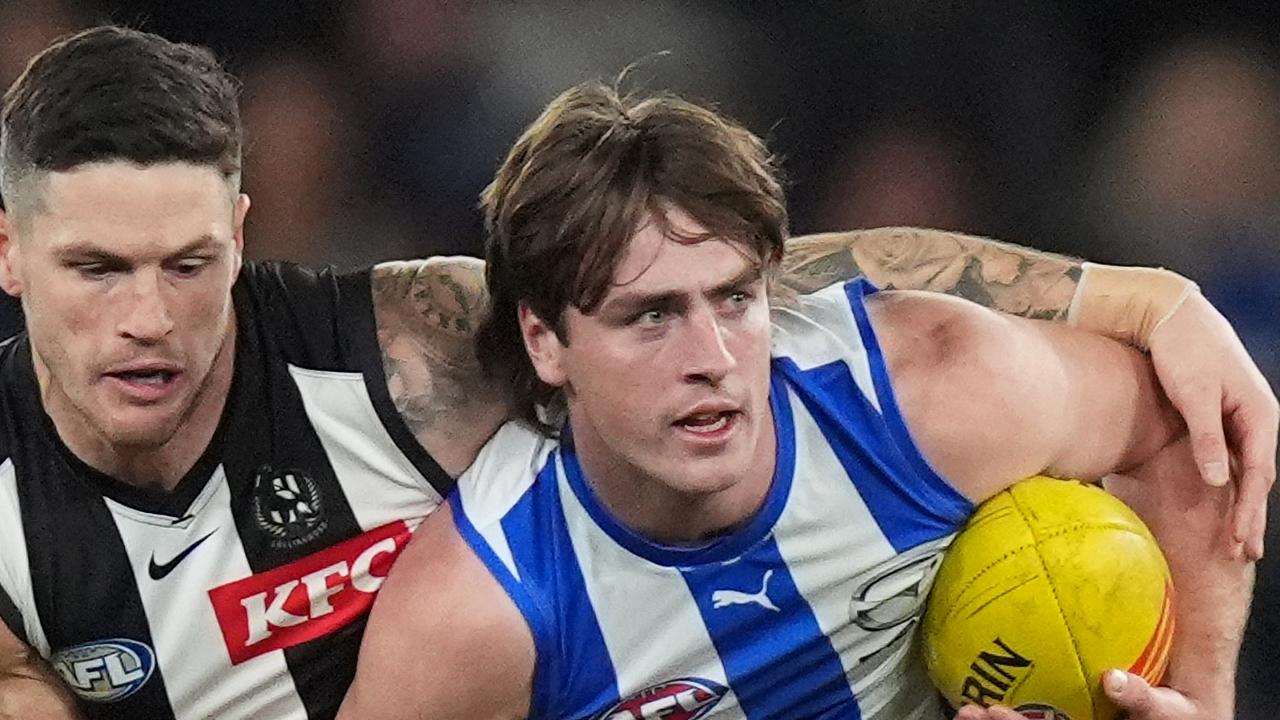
(427, 315)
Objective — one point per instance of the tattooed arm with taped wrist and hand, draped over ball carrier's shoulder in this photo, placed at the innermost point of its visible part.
(1203, 367)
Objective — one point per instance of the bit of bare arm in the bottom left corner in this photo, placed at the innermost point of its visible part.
(29, 689)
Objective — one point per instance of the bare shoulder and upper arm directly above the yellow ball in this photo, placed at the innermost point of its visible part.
(994, 399)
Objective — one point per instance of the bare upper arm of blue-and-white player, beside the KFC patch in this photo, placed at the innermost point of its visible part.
(460, 651)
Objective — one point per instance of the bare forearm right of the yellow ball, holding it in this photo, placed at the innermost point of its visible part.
(1212, 589)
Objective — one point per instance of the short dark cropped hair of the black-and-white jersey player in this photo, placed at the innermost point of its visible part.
(118, 94)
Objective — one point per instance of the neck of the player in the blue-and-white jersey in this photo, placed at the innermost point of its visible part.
(673, 517)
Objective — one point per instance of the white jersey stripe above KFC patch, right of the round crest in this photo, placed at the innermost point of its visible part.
(360, 448)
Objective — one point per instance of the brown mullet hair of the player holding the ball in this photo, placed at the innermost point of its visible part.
(577, 188)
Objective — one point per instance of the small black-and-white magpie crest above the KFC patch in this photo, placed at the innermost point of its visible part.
(287, 507)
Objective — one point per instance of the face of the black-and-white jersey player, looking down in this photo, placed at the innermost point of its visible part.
(125, 275)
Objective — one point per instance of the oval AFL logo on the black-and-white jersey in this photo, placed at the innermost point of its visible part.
(106, 671)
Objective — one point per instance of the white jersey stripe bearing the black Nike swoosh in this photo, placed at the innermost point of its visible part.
(203, 552)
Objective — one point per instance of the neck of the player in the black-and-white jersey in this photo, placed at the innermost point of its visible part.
(162, 467)
